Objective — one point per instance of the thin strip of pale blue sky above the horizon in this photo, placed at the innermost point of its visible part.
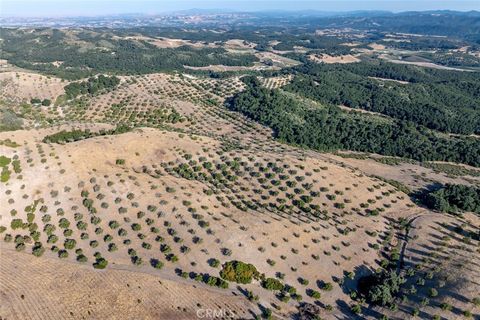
(57, 8)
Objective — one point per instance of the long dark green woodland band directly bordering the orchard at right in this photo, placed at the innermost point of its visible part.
(330, 128)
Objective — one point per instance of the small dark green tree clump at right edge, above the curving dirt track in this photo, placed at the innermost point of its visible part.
(453, 198)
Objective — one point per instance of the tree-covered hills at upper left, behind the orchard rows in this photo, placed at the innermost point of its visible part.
(91, 55)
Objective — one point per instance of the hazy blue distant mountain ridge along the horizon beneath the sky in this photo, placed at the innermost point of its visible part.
(465, 25)
